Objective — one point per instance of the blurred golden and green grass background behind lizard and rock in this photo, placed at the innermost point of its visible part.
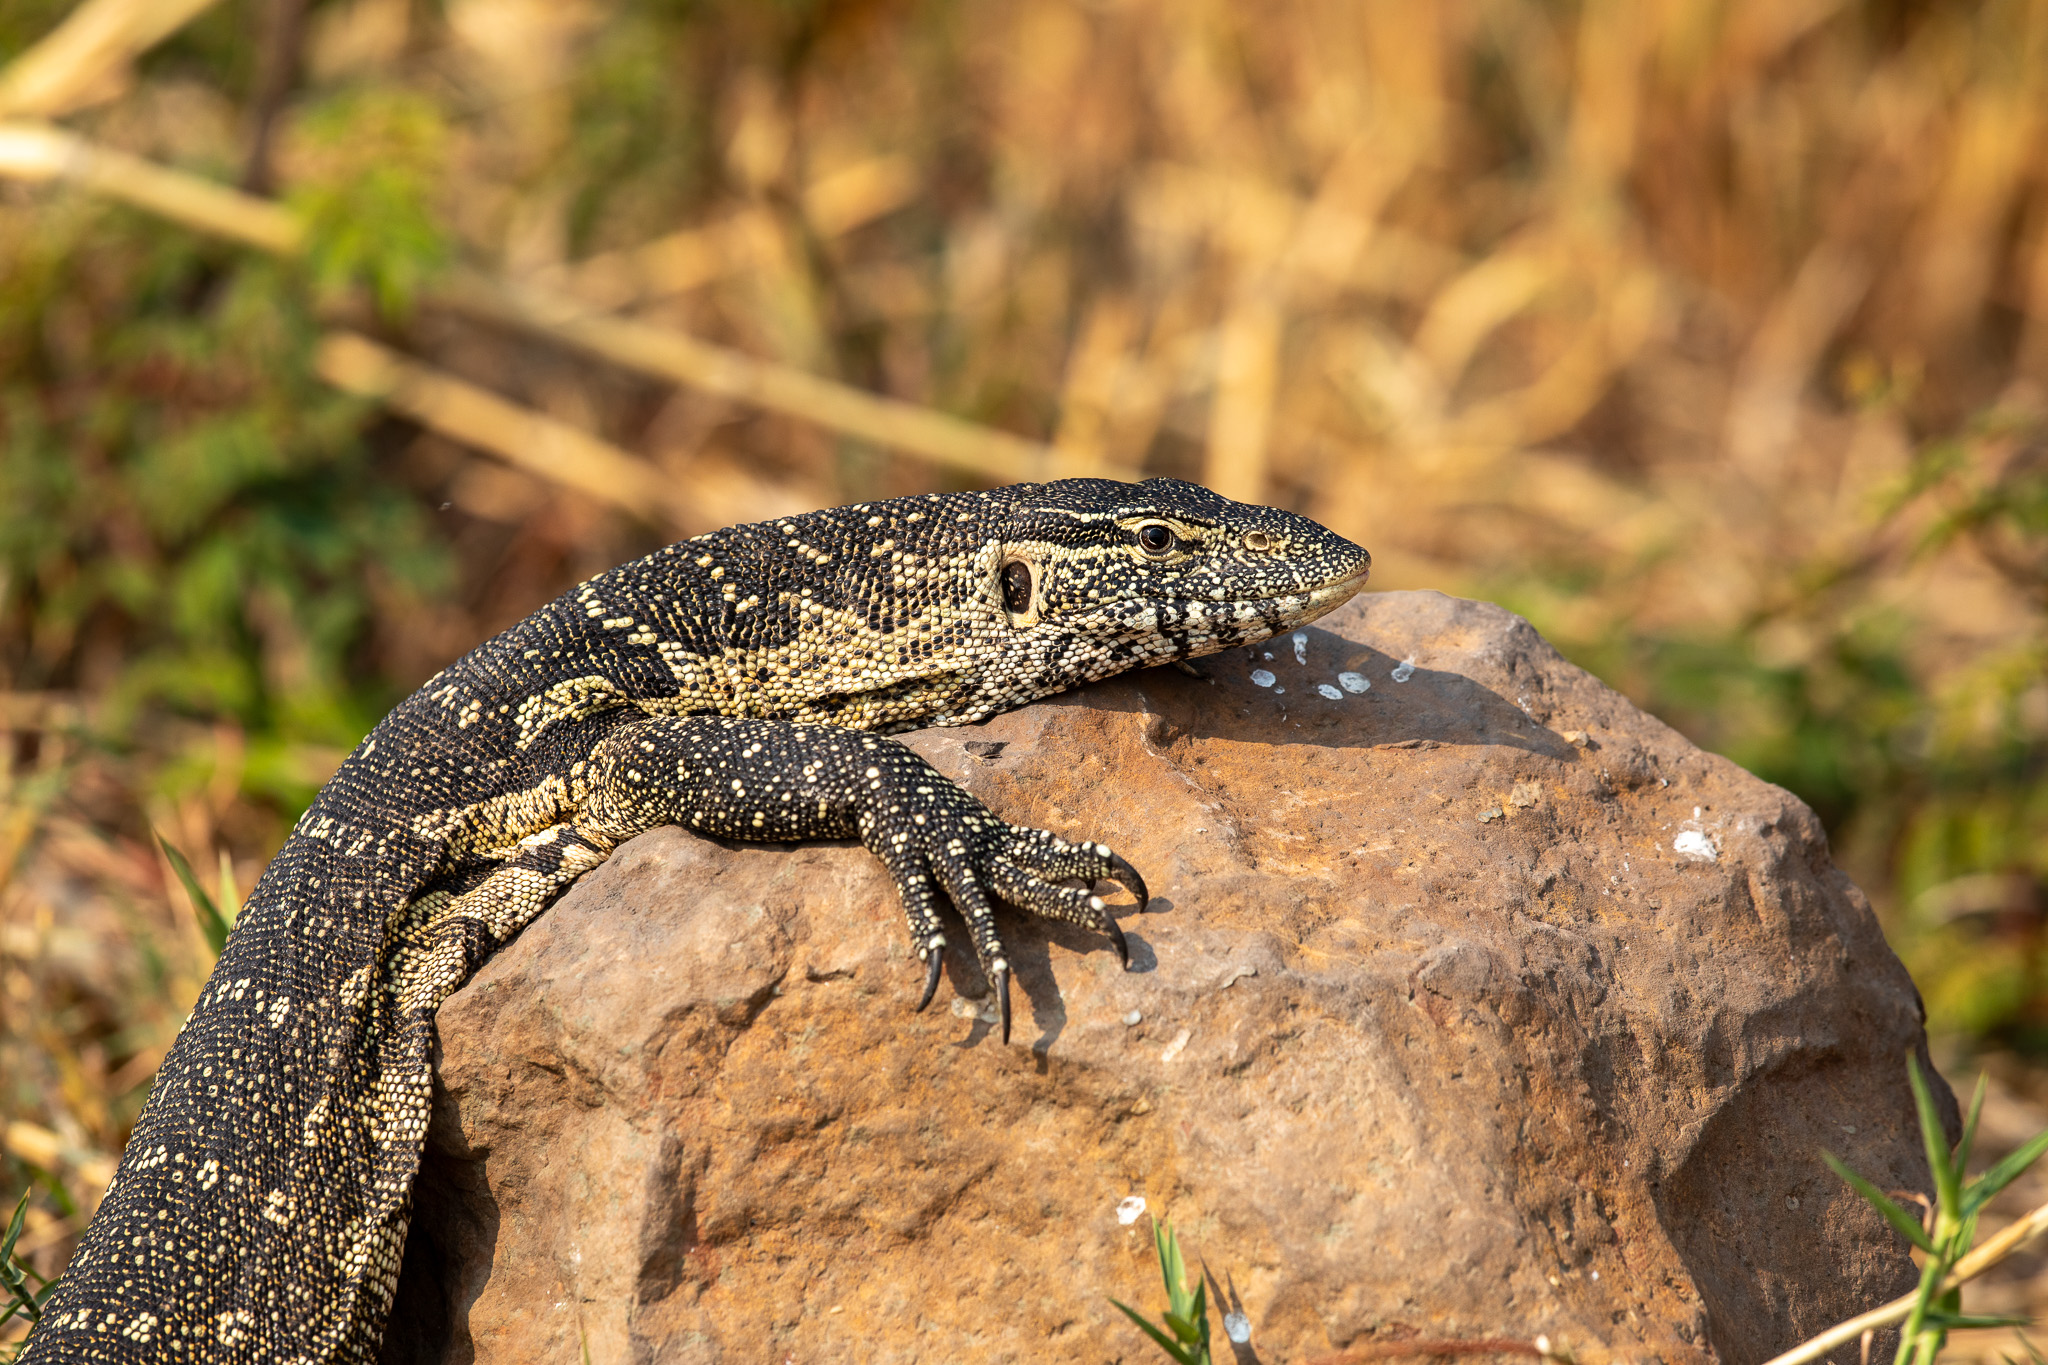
(1709, 335)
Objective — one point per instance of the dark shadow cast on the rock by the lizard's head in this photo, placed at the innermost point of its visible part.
(1431, 705)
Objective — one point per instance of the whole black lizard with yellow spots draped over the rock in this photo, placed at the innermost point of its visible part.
(740, 685)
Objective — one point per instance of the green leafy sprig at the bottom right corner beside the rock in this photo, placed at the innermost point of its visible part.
(1951, 1231)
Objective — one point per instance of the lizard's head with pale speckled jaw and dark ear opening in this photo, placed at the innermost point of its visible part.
(1097, 578)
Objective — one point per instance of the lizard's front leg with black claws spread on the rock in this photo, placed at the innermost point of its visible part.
(777, 781)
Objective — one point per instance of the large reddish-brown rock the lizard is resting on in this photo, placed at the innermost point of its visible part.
(1471, 1006)
